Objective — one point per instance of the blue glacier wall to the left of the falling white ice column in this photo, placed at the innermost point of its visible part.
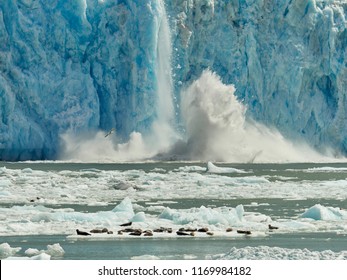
(77, 66)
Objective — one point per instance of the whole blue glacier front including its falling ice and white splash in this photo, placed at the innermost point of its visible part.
(200, 80)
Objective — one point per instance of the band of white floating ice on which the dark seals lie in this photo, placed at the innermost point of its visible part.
(34, 220)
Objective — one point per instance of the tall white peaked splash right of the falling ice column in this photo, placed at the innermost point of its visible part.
(217, 128)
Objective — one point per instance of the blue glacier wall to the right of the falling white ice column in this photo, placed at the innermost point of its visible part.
(287, 60)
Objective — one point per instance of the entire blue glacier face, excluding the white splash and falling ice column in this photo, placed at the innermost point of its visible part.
(88, 65)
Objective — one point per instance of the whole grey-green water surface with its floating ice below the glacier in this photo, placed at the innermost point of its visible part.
(43, 203)
